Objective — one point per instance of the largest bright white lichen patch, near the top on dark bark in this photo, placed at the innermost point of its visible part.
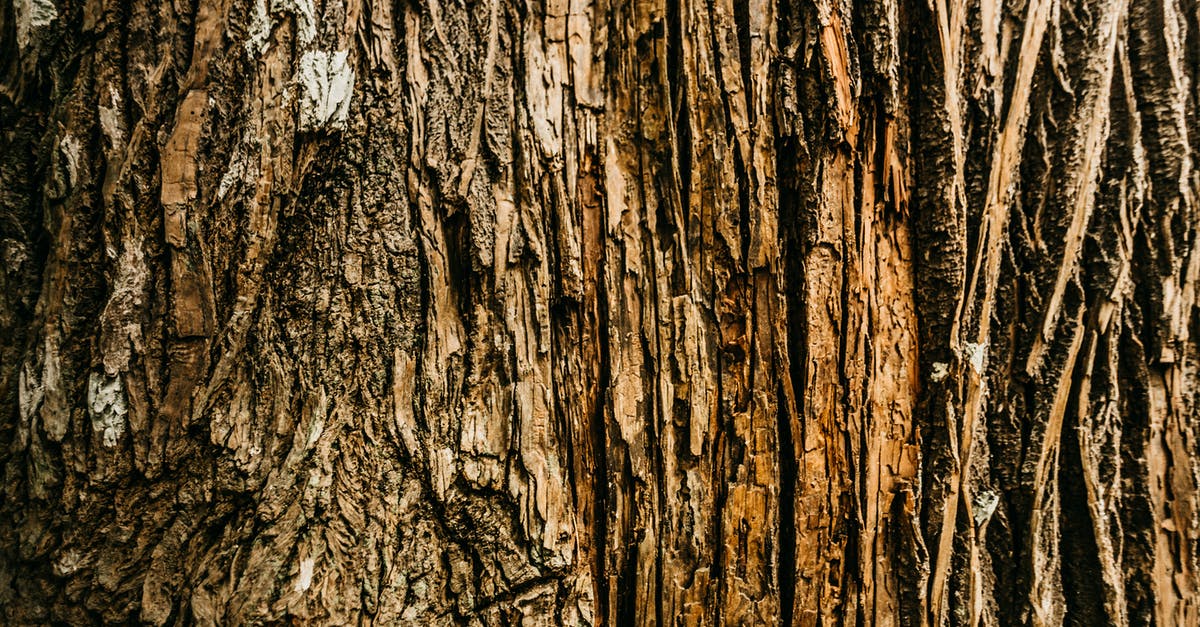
(327, 83)
